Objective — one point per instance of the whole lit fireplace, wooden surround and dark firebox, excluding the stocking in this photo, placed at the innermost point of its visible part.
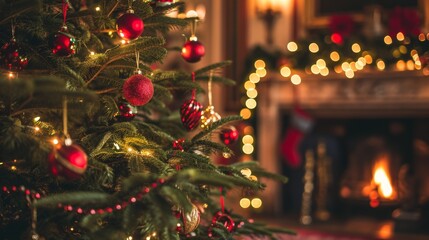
(371, 129)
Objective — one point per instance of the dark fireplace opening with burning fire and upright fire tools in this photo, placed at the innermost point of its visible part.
(354, 167)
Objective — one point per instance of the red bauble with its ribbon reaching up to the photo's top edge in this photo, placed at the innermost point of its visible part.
(62, 43)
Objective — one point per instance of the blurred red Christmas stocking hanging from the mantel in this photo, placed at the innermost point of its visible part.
(301, 123)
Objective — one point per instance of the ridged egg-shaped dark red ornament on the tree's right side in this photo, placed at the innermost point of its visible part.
(190, 113)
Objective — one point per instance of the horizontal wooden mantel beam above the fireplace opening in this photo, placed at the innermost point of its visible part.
(406, 91)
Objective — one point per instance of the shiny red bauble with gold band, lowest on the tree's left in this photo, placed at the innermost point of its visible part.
(69, 162)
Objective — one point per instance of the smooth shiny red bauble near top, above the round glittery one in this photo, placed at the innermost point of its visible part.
(129, 26)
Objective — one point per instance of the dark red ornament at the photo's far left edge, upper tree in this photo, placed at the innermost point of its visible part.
(11, 56)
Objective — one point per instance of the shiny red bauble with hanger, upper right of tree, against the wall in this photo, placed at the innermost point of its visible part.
(193, 50)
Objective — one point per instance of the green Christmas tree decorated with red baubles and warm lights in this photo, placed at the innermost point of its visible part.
(92, 145)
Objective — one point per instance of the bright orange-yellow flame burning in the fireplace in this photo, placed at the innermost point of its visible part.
(382, 179)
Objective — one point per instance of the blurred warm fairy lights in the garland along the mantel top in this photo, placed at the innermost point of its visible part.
(406, 55)
